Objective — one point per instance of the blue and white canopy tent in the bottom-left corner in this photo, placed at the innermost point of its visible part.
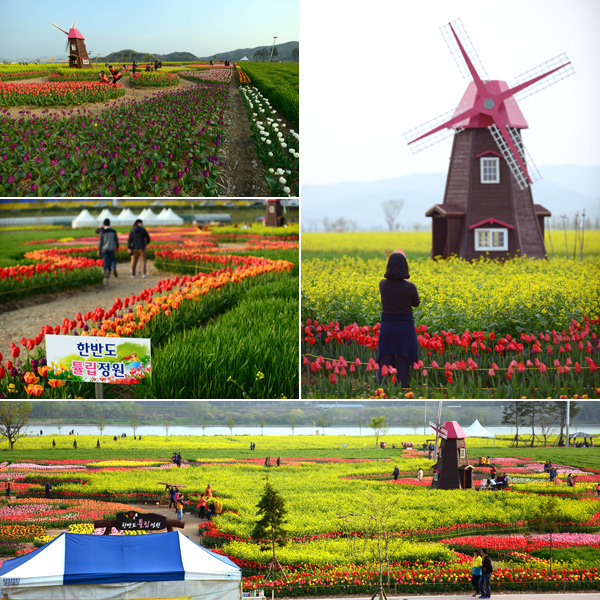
(86, 567)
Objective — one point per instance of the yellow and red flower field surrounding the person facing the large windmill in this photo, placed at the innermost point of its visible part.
(522, 328)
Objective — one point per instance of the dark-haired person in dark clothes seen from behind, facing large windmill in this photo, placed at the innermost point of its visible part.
(398, 347)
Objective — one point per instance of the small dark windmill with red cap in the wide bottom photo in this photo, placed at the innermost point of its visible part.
(452, 470)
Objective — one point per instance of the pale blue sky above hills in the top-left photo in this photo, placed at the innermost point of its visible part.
(202, 27)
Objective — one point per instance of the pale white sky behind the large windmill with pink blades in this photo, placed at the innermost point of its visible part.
(369, 75)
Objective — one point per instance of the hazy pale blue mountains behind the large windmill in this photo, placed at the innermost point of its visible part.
(563, 189)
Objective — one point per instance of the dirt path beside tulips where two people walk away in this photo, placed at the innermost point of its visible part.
(25, 318)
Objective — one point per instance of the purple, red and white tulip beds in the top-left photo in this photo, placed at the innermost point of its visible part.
(168, 143)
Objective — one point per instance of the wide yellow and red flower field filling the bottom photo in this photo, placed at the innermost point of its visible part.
(335, 490)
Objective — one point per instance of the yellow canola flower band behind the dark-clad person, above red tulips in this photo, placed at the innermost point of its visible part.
(519, 295)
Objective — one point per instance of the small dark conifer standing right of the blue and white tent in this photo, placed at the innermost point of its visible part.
(269, 530)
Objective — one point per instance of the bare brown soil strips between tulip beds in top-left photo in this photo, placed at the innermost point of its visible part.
(242, 175)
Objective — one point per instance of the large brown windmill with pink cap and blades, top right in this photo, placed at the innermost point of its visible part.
(488, 206)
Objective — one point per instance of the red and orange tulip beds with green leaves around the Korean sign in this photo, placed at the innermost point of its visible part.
(232, 311)
